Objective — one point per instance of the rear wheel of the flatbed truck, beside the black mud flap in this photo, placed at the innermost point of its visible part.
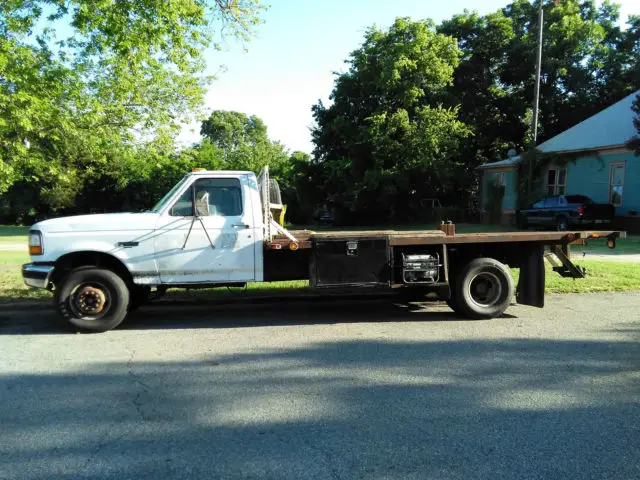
(484, 289)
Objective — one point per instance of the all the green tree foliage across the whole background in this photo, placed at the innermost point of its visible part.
(92, 92)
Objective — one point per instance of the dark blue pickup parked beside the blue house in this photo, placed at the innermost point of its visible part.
(564, 211)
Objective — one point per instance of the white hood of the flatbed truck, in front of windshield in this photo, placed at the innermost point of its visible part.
(99, 222)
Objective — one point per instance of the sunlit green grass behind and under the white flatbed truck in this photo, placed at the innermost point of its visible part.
(602, 276)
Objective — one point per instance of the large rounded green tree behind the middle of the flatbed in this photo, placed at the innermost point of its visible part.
(384, 142)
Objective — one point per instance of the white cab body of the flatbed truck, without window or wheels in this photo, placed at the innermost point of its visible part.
(152, 244)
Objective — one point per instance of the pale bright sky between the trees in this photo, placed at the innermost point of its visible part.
(290, 62)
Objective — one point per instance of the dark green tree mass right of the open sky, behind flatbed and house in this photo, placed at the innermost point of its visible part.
(364, 140)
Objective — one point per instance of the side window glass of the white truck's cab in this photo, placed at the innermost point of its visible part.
(222, 196)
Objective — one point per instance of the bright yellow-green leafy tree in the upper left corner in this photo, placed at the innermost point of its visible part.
(78, 96)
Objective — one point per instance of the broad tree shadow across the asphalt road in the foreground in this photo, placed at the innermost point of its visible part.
(349, 409)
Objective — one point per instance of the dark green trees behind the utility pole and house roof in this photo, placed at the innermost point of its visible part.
(588, 63)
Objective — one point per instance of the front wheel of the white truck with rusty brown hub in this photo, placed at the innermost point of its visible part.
(92, 299)
